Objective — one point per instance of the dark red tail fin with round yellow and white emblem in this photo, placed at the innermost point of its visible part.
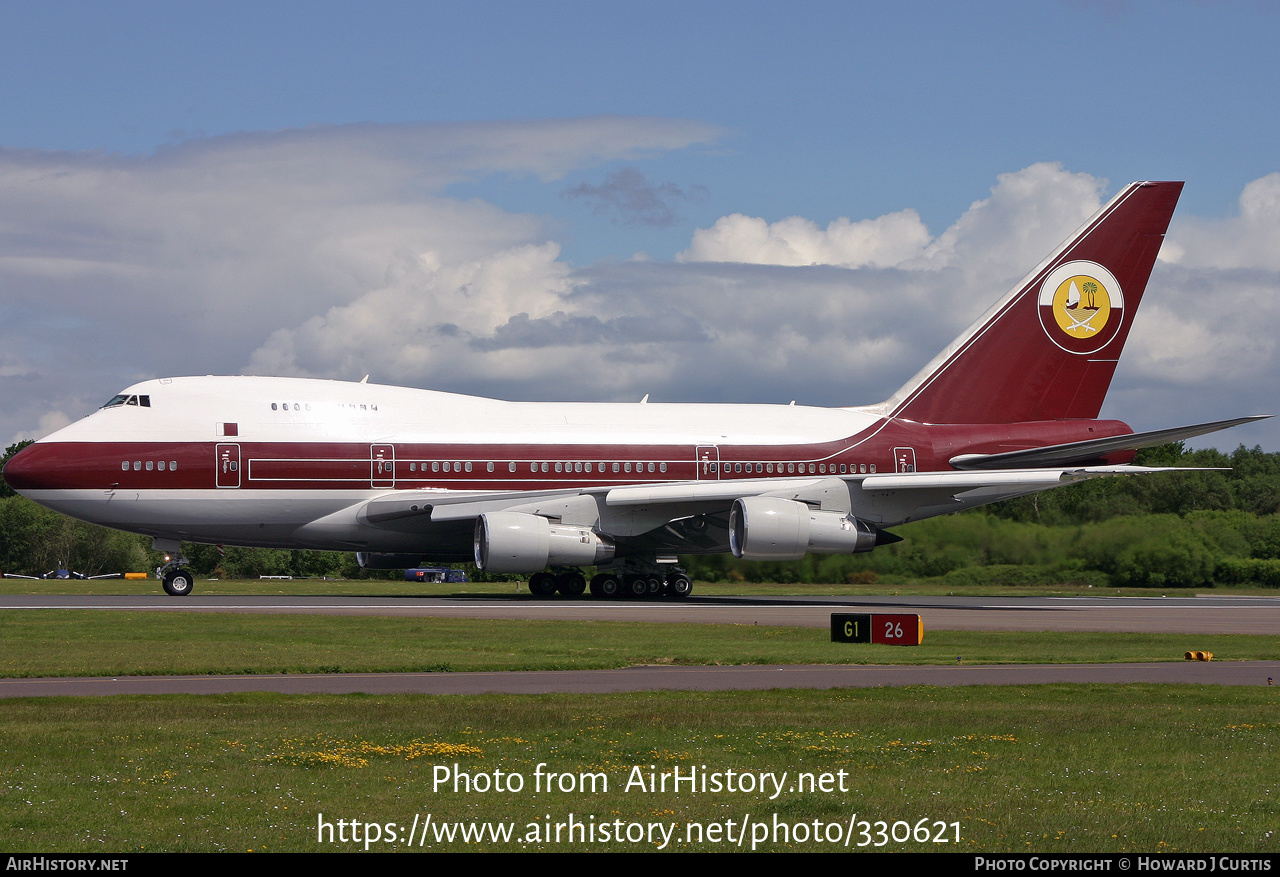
(1049, 349)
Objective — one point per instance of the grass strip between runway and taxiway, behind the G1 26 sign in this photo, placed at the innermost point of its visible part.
(85, 643)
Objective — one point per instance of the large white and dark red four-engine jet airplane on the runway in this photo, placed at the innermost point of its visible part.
(399, 476)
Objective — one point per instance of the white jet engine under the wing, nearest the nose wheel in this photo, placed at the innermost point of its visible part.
(514, 542)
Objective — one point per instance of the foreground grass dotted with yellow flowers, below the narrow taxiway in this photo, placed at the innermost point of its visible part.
(1048, 769)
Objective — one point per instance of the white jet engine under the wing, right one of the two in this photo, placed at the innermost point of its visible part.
(774, 529)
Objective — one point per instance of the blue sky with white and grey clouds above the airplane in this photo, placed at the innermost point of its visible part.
(246, 184)
